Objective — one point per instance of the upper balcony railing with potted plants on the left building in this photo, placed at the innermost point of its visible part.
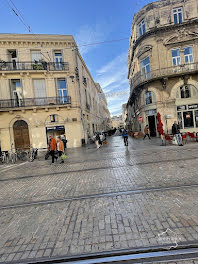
(34, 66)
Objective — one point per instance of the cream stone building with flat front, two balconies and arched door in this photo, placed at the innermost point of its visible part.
(46, 88)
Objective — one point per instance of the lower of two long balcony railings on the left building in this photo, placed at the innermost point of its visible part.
(43, 101)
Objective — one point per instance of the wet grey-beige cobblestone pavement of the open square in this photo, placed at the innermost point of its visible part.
(143, 196)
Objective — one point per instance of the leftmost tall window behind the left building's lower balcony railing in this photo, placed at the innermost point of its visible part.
(17, 92)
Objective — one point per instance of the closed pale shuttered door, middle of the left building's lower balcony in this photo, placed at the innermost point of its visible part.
(40, 91)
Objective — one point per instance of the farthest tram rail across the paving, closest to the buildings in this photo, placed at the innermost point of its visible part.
(94, 169)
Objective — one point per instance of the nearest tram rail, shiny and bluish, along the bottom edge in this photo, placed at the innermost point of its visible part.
(183, 252)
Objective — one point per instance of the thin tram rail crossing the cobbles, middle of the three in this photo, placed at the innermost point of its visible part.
(97, 196)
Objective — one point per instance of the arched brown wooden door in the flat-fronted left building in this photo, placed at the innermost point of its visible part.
(21, 135)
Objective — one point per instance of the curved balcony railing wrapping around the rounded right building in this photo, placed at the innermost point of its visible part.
(140, 79)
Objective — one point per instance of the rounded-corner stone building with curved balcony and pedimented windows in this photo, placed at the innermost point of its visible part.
(163, 66)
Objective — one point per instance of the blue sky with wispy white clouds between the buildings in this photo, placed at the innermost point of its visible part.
(89, 21)
